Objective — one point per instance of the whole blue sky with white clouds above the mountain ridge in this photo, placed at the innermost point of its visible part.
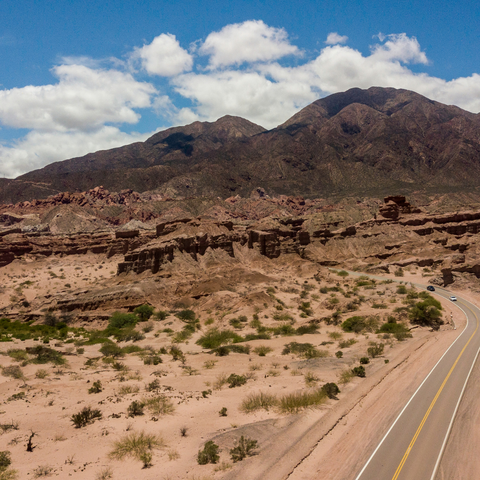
(78, 77)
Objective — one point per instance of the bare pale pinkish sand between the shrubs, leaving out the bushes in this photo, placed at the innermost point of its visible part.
(327, 439)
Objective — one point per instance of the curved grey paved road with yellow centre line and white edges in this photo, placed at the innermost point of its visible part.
(413, 446)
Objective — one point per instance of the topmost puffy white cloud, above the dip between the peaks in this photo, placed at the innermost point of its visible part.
(250, 41)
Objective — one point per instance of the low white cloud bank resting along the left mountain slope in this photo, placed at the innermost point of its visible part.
(38, 149)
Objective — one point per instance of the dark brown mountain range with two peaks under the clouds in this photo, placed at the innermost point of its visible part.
(360, 142)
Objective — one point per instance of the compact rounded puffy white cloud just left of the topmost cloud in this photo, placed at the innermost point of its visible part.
(164, 56)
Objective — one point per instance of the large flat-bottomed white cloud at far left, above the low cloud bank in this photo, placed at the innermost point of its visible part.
(83, 99)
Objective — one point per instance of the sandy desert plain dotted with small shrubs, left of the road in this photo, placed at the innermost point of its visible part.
(186, 400)
